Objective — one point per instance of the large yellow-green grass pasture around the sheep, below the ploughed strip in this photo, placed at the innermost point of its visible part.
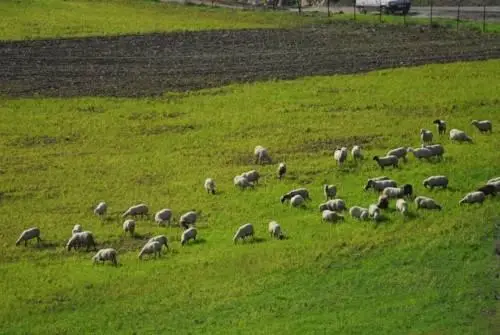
(431, 274)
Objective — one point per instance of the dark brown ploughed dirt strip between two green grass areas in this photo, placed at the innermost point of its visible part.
(153, 64)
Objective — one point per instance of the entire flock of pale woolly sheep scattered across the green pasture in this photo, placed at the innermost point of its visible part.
(330, 210)
